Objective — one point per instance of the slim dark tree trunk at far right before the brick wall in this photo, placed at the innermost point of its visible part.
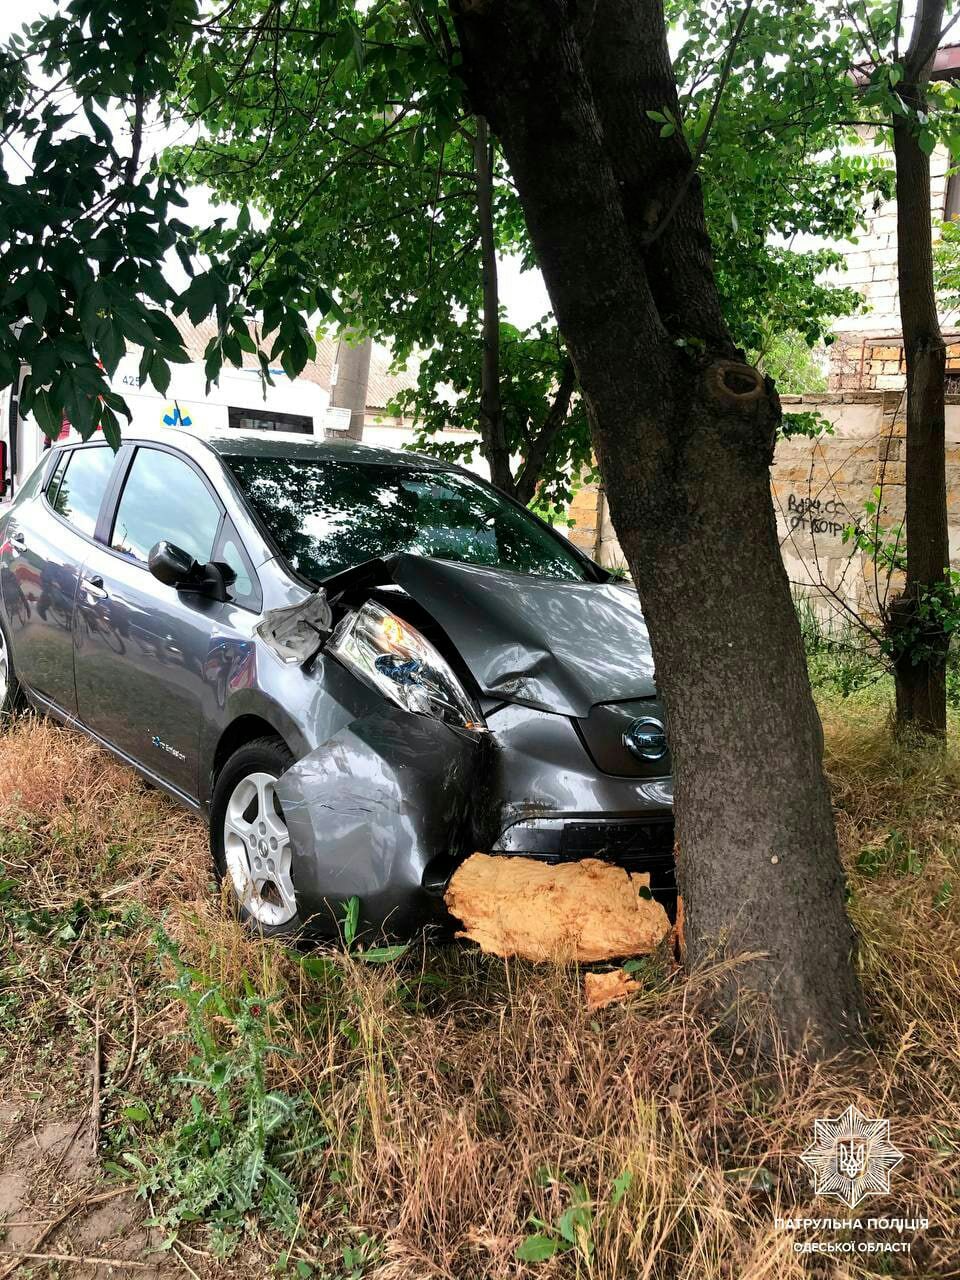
(921, 666)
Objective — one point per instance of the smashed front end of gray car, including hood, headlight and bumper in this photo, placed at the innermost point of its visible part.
(497, 712)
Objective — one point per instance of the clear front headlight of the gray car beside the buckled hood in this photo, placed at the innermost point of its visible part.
(399, 662)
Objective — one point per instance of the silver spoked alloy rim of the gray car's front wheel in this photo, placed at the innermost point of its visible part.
(258, 851)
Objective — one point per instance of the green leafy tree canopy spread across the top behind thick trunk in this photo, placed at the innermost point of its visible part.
(350, 132)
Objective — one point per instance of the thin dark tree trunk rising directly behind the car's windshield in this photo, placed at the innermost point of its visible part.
(492, 428)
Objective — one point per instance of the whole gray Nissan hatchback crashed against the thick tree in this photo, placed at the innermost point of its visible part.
(359, 665)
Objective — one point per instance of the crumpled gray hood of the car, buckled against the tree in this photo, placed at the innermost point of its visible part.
(561, 647)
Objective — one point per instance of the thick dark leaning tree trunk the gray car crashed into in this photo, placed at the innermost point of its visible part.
(684, 437)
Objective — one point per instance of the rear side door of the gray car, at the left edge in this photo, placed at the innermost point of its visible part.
(48, 540)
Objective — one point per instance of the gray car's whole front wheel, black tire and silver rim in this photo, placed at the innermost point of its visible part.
(250, 843)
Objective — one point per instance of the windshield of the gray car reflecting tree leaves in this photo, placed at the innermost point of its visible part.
(328, 515)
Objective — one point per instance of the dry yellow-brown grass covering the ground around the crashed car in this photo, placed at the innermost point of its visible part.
(461, 1096)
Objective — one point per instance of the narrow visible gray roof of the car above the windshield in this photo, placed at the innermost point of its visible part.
(278, 445)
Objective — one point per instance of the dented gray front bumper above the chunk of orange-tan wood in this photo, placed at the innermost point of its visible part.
(388, 808)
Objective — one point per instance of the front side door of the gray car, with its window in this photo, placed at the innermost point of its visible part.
(145, 651)
